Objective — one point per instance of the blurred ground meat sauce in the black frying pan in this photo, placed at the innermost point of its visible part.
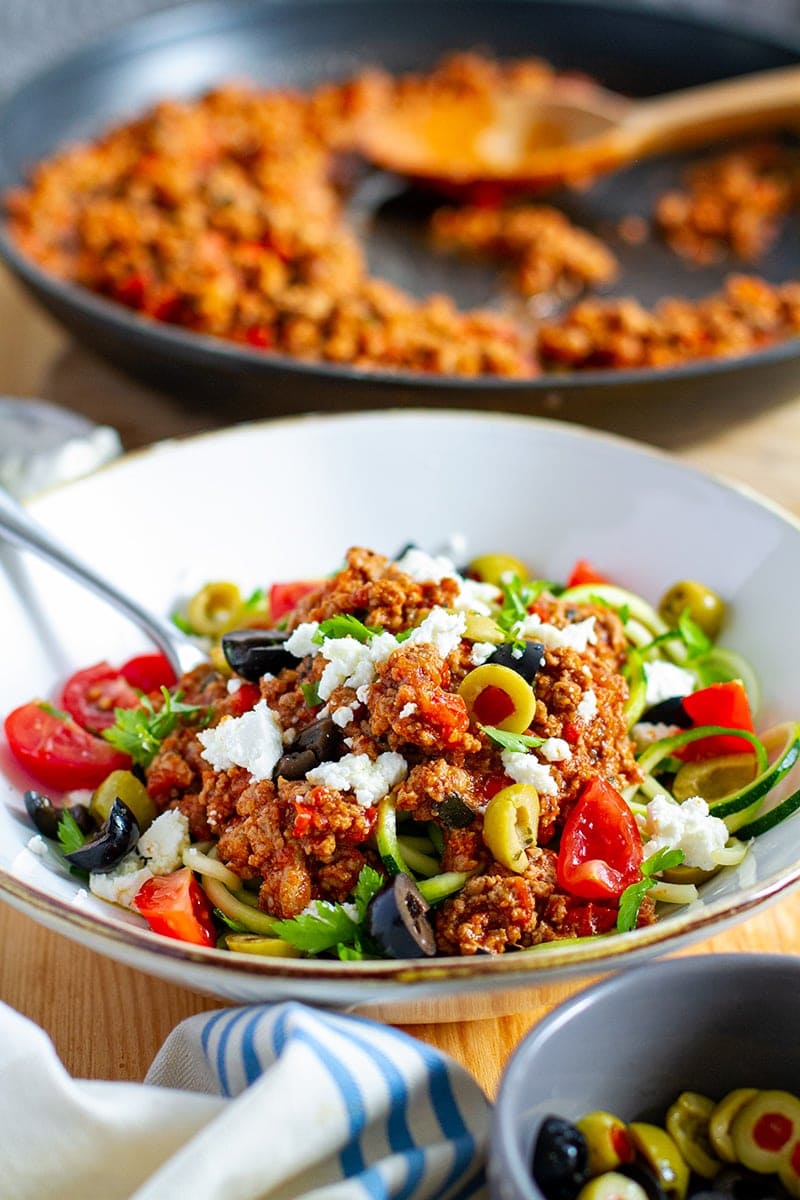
(226, 215)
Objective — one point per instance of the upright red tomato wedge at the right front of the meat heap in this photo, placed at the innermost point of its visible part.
(601, 847)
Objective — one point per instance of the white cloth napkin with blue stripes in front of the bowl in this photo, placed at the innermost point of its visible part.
(261, 1103)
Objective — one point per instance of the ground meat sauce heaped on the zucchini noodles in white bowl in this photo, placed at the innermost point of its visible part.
(305, 839)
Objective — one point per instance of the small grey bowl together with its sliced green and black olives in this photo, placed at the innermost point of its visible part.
(671, 1082)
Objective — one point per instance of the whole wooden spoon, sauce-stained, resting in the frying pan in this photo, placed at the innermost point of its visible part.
(573, 133)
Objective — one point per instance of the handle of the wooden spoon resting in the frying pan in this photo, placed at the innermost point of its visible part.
(715, 111)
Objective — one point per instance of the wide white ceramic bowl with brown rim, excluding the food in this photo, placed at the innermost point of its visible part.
(286, 500)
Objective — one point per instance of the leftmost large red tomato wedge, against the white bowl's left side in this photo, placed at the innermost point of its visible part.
(58, 752)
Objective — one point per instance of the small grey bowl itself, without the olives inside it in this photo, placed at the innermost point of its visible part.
(634, 1042)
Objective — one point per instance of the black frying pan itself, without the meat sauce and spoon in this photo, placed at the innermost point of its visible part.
(628, 47)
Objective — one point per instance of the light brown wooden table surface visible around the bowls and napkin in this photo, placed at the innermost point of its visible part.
(109, 1021)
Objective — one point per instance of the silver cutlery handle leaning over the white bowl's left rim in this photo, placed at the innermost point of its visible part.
(19, 529)
